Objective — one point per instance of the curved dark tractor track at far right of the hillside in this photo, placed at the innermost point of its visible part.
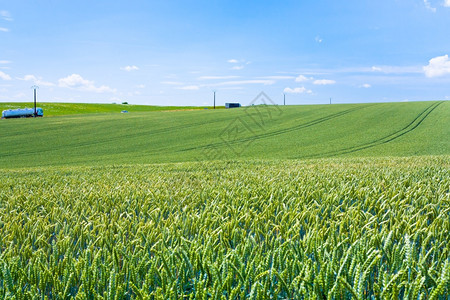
(386, 139)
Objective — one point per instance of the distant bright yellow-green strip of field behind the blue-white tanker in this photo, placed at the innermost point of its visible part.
(59, 109)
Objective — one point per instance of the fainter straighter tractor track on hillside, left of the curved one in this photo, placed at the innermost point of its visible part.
(277, 132)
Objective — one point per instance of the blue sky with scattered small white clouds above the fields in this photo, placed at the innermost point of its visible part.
(179, 52)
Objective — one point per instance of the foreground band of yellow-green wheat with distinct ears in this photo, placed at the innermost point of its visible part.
(287, 229)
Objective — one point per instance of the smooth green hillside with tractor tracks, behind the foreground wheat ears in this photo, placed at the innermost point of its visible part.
(257, 132)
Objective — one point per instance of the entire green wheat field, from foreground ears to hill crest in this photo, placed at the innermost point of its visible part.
(262, 202)
